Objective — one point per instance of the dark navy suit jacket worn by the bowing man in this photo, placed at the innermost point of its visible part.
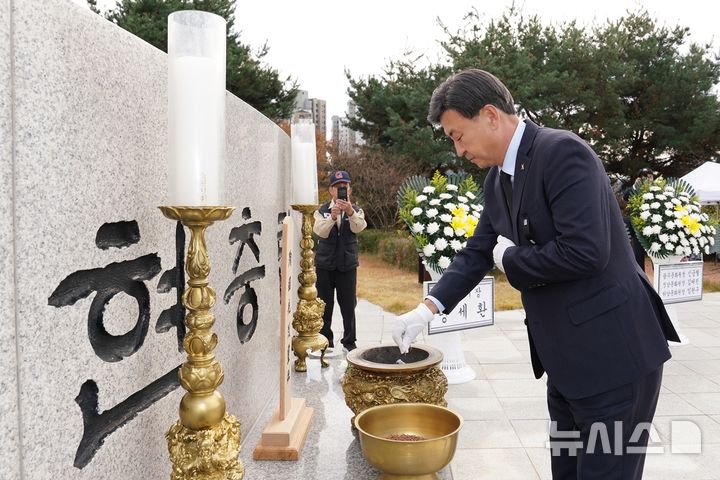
(594, 321)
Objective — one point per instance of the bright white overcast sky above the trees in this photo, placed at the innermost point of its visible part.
(315, 41)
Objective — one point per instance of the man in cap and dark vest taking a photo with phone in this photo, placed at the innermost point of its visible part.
(337, 224)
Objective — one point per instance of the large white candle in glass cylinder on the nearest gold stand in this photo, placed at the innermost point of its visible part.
(196, 108)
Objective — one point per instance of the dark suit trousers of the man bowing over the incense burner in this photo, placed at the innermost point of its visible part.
(602, 431)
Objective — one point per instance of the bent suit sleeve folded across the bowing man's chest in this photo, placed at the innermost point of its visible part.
(576, 191)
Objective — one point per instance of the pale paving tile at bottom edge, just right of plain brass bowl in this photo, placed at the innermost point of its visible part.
(492, 464)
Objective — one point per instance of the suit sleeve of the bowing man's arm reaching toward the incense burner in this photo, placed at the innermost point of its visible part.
(468, 267)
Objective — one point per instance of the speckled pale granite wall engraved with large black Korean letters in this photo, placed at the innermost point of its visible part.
(84, 112)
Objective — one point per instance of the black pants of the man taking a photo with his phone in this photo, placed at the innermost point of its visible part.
(344, 283)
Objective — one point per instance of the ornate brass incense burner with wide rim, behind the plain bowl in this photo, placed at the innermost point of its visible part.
(380, 375)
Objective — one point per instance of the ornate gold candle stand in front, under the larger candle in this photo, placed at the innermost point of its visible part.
(205, 443)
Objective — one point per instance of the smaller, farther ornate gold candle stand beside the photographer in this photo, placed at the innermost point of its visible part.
(307, 320)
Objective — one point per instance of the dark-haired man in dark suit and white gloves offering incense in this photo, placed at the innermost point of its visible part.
(552, 224)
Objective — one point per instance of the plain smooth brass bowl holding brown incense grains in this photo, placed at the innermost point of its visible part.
(408, 459)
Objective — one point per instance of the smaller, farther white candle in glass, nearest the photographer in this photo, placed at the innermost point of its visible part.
(304, 164)
